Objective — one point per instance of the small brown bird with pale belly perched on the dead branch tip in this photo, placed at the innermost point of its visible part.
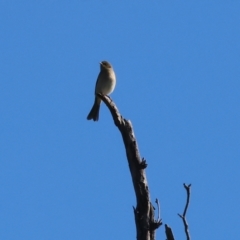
(105, 84)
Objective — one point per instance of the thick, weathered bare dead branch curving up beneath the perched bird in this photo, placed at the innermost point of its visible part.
(146, 225)
